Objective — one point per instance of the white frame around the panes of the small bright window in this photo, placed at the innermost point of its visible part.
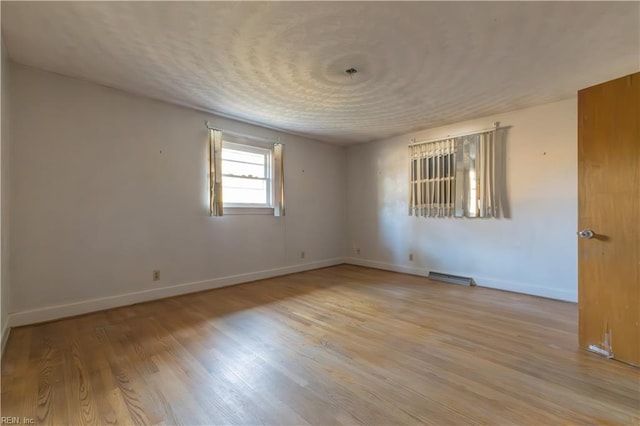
(256, 148)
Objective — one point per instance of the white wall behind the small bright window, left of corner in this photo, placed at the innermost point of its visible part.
(107, 186)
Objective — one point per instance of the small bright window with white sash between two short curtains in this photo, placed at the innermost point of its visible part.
(247, 182)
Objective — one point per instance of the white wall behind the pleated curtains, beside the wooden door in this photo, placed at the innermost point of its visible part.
(533, 251)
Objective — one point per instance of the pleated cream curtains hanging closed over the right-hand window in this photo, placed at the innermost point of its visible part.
(454, 177)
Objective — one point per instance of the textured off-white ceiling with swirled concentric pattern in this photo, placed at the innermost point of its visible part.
(420, 64)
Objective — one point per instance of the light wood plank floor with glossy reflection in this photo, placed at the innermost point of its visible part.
(341, 345)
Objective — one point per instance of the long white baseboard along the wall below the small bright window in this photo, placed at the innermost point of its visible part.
(49, 313)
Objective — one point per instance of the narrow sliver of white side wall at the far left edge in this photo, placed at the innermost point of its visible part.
(4, 200)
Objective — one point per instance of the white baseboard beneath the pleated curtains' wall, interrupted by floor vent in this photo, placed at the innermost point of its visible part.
(516, 287)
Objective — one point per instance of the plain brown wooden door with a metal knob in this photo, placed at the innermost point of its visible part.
(609, 205)
